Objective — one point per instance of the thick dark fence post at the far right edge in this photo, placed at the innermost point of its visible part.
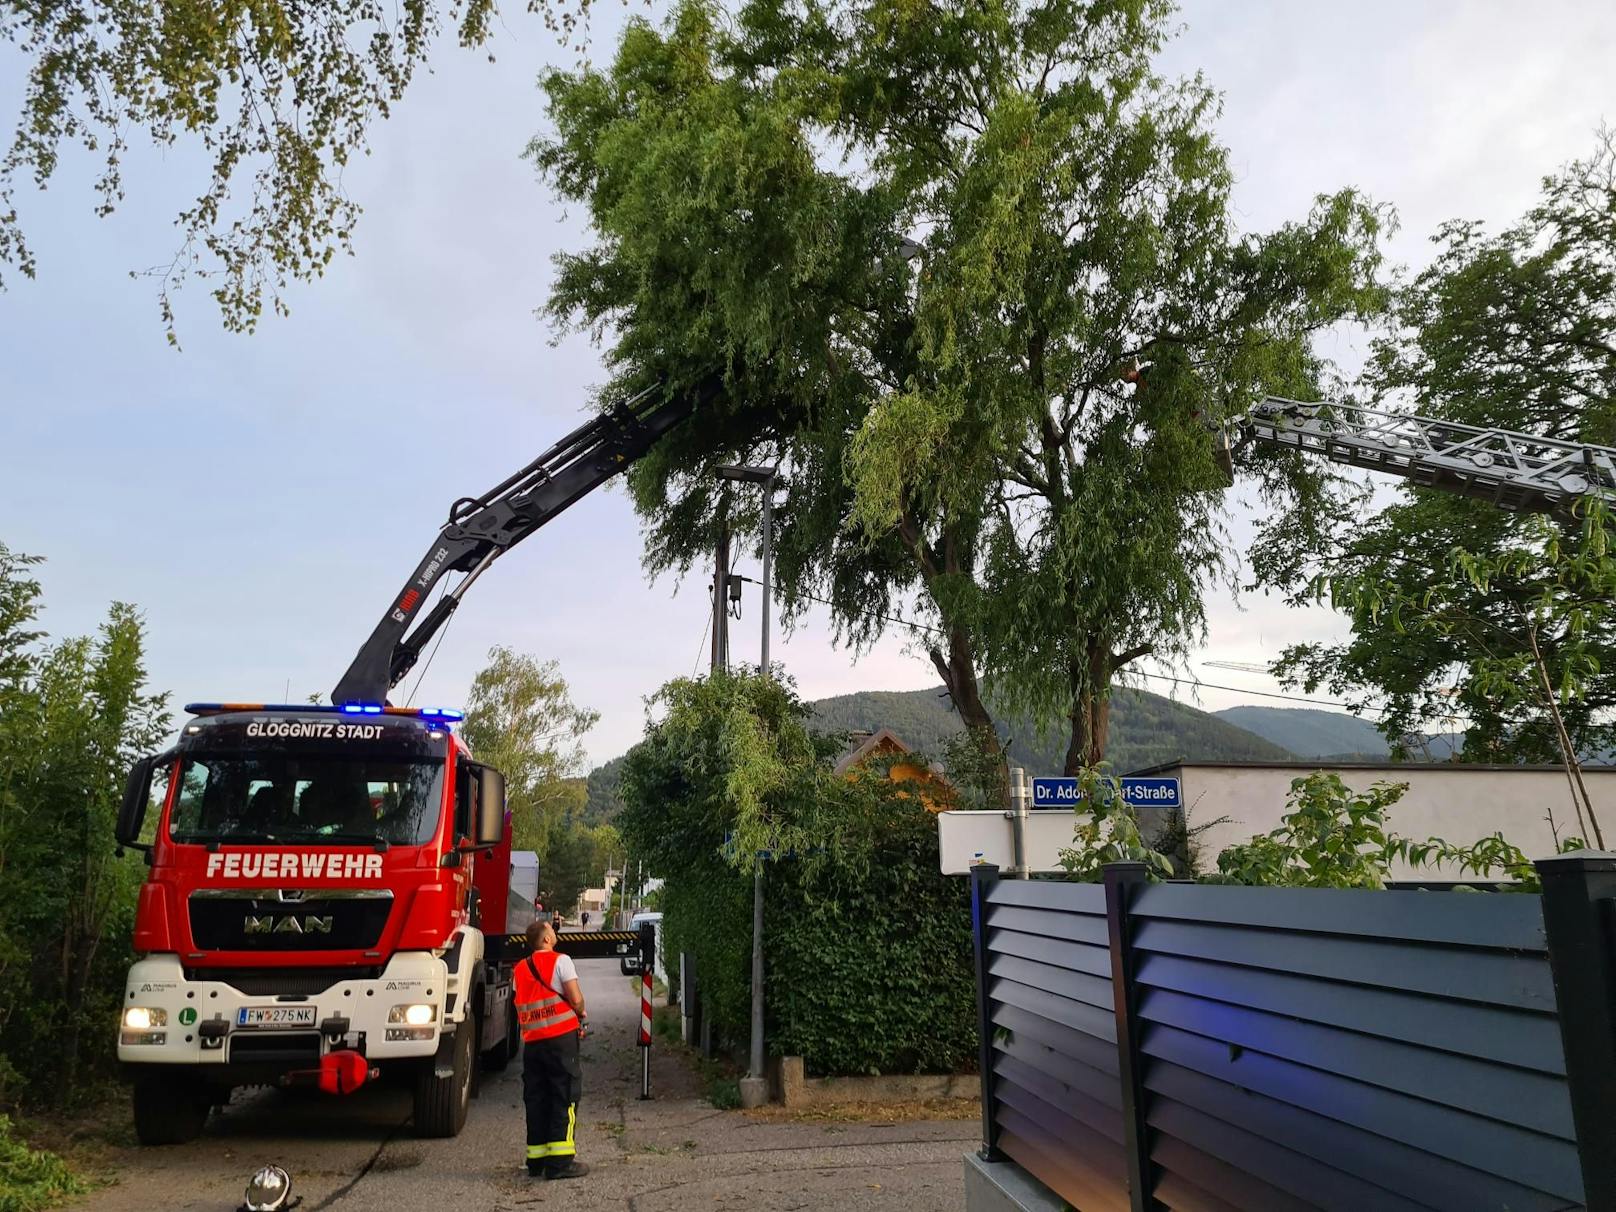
(1580, 911)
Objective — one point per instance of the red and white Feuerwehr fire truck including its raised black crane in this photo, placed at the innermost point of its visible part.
(329, 886)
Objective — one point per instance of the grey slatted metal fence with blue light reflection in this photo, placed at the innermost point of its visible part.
(1172, 1046)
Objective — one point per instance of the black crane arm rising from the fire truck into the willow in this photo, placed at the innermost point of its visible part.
(481, 529)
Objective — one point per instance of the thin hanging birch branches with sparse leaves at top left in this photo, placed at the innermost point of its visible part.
(280, 96)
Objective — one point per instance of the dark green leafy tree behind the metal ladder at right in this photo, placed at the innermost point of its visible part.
(1513, 330)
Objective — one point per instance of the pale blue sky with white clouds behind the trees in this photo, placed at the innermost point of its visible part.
(263, 497)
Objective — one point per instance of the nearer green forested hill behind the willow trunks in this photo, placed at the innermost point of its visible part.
(1147, 730)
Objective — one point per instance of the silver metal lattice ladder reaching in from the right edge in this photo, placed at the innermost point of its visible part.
(1513, 471)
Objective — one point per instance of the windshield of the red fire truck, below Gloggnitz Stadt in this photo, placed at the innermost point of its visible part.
(308, 799)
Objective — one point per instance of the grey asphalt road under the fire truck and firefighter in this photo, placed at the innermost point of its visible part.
(649, 1156)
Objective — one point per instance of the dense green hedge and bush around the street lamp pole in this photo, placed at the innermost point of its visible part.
(867, 943)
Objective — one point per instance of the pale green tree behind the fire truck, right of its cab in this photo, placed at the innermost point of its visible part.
(523, 722)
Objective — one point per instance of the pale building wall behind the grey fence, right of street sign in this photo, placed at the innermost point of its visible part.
(1458, 804)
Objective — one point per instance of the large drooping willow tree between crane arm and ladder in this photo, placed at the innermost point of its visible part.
(974, 280)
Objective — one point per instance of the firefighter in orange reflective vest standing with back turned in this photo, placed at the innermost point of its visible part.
(550, 1012)
